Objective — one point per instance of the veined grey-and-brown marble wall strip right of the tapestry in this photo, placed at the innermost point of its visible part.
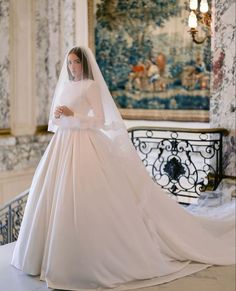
(223, 103)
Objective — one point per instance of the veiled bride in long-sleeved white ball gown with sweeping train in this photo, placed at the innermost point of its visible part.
(94, 218)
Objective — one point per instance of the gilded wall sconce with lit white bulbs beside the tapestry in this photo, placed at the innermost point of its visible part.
(199, 16)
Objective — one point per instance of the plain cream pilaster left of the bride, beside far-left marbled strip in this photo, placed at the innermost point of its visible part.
(22, 100)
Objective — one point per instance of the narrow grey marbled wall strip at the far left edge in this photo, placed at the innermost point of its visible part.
(4, 65)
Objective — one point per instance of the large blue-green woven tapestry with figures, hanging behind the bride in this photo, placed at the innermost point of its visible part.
(148, 59)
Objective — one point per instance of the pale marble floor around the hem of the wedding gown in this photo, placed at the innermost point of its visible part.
(216, 278)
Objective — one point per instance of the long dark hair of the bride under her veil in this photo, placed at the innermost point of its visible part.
(87, 72)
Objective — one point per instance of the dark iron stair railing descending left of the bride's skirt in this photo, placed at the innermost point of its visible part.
(11, 216)
